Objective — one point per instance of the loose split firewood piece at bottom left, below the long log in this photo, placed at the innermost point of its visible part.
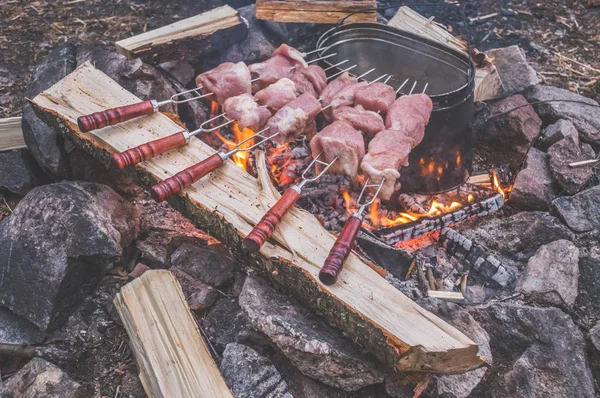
(173, 359)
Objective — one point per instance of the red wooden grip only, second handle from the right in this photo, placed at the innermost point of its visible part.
(265, 227)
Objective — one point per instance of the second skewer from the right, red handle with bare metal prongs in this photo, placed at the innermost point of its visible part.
(269, 222)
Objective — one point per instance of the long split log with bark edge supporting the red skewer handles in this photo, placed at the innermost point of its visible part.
(229, 202)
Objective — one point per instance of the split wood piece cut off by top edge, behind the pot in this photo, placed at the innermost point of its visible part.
(320, 11)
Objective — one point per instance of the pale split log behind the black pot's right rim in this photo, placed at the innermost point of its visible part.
(488, 84)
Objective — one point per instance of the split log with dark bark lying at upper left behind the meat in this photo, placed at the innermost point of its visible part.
(187, 38)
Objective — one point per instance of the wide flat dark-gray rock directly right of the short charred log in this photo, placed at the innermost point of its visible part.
(516, 237)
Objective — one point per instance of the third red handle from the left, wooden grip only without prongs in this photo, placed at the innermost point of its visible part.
(185, 178)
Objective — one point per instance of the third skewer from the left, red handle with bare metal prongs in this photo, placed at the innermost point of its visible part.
(187, 177)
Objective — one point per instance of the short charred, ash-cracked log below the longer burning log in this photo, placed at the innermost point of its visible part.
(474, 256)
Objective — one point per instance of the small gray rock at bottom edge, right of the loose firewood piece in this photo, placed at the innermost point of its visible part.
(250, 375)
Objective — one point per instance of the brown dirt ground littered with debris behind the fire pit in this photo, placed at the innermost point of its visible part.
(29, 29)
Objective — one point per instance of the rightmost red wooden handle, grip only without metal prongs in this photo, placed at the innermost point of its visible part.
(340, 251)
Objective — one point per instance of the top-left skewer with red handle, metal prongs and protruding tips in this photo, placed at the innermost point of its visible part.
(109, 117)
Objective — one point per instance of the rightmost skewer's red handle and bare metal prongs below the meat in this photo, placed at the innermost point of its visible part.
(345, 241)
